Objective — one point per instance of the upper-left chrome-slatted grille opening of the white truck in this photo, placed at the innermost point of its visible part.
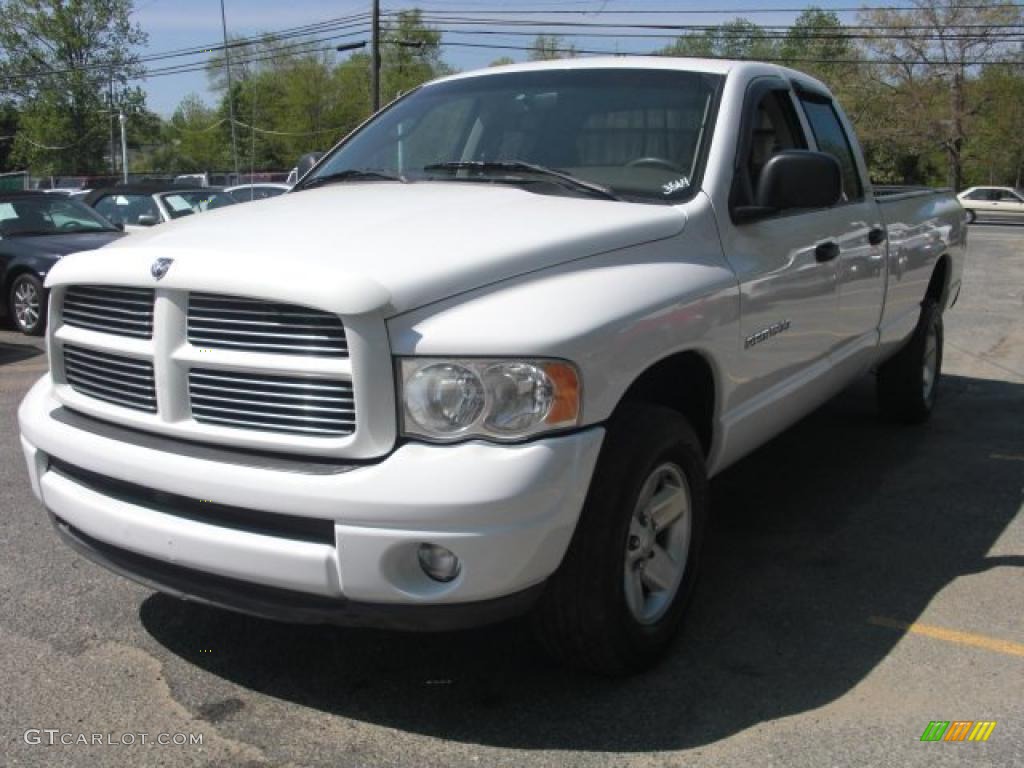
(110, 310)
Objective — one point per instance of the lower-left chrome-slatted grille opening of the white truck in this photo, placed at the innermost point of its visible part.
(114, 378)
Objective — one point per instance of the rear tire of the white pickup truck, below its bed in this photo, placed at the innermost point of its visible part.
(908, 383)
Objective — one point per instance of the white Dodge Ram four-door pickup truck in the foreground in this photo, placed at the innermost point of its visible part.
(483, 361)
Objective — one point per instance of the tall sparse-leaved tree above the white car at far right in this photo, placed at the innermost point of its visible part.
(927, 58)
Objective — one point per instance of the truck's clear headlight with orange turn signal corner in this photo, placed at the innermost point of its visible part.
(450, 400)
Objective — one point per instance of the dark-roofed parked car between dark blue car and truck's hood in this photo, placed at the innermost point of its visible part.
(141, 206)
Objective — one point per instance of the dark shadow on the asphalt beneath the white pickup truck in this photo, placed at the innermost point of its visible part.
(840, 520)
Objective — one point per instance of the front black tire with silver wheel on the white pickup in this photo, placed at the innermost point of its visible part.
(620, 595)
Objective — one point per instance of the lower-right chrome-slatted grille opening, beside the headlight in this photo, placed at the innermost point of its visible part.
(275, 404)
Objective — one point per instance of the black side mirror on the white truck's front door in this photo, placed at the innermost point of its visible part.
(800, 179)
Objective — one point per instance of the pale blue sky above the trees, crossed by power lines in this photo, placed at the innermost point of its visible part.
(179, 24)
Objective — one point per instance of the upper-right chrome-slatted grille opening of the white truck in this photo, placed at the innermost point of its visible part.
(232, 323)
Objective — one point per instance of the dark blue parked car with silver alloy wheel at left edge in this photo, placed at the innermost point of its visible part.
(36, 231)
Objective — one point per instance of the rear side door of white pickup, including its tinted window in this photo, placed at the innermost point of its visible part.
(857, 227)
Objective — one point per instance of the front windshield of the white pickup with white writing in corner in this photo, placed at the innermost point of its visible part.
(635, 133)
